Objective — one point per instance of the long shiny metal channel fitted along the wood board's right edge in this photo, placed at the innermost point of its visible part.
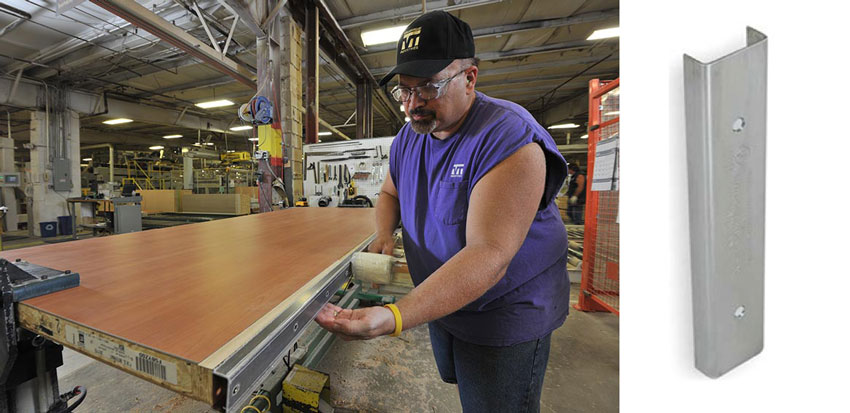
(243, 371)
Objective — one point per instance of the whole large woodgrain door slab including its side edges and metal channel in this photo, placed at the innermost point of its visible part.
(203, 309)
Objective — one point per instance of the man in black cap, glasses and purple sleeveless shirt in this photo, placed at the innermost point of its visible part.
(472, 180)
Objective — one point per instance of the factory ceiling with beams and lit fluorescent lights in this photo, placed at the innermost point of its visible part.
(533, 52)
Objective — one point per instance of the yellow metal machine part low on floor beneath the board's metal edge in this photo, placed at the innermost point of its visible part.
(302, 389)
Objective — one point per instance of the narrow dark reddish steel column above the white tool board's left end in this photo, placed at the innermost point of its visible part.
(312, 102)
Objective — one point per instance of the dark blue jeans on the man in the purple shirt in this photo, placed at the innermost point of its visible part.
(492, 379)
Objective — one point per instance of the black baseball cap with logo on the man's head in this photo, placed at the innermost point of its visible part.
(429, 44)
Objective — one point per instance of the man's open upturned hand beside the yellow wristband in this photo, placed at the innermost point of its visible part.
(360, 324)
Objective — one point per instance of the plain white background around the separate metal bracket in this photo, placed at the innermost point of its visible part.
(806, 359)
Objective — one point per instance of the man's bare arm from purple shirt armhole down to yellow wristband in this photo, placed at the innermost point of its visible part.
(497, 223)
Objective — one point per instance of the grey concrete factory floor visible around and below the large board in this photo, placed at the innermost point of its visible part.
(393, 375)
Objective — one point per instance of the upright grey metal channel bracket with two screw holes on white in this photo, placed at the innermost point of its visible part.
(725, 110)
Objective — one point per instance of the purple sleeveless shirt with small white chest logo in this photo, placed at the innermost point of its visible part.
(435, 179)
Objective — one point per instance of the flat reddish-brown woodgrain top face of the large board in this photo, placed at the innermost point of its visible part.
(188, 290)
